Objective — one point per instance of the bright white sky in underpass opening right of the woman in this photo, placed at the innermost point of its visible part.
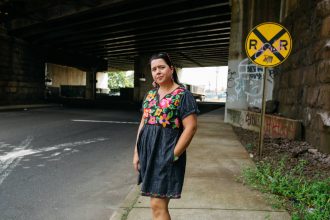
(206, 76)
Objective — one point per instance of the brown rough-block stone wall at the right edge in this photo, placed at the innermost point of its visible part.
(303, 85)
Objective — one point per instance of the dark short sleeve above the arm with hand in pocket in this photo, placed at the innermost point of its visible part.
(188, 105)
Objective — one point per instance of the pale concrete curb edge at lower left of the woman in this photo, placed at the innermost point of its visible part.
(127, 205)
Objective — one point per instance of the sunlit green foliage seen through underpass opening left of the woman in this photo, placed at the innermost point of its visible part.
(120, 80)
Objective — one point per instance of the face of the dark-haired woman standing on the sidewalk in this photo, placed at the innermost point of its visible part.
(161, 72)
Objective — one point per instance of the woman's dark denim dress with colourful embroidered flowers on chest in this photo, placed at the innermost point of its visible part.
(159, 175)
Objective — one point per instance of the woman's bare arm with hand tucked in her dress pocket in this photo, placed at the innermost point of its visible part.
(189, 130)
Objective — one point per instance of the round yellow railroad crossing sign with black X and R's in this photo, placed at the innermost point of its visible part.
(268, 44)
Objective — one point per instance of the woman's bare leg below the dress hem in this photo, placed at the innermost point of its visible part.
(159, 208)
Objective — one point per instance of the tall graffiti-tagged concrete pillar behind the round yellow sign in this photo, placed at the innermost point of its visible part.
(244, 85)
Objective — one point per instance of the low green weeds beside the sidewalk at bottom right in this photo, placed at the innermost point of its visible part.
(305, 199)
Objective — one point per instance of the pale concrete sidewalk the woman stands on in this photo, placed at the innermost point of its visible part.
(210, 191)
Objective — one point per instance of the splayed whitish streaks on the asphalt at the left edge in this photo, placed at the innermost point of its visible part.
(11, 159)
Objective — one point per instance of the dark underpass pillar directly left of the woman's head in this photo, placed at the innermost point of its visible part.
(142, 77)
